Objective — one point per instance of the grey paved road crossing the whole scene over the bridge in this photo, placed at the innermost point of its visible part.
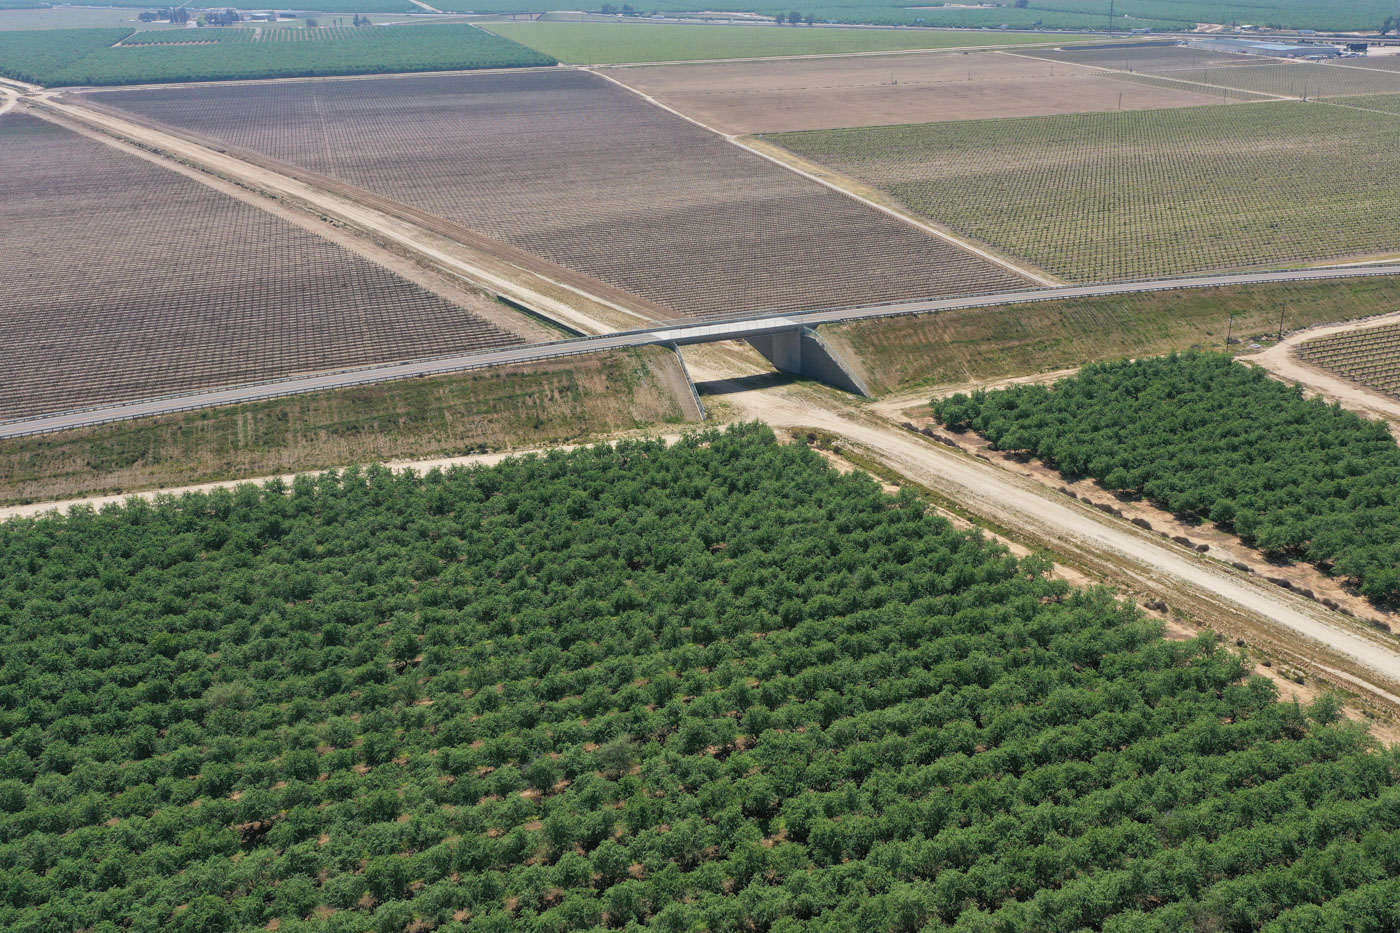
(680, 333)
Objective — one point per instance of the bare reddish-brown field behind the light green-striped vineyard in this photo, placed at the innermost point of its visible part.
(771, 97)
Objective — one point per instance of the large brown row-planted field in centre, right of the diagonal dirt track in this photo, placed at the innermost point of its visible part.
(591, 177)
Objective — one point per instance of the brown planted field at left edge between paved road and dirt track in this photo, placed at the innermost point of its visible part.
(121, 279)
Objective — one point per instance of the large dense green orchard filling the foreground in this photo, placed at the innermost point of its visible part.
(712, 687)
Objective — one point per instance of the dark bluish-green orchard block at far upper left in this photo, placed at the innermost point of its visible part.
(92, 57)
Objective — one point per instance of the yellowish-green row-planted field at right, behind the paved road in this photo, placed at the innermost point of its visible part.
(1129, 195)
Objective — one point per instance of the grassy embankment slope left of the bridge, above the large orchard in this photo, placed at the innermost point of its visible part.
(488, 410)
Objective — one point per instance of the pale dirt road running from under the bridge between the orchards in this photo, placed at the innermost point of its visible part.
(1206, 590)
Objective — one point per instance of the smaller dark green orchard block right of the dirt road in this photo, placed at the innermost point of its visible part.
(1210, 439)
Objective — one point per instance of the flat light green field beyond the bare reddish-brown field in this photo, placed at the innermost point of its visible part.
(614, 43)
